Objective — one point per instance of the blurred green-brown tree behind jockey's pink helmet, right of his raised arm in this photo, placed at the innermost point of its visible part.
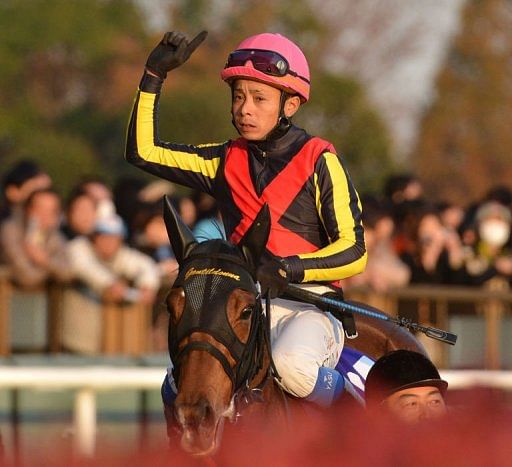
(338, 110)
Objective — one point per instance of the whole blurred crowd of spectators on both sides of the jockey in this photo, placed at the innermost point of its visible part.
(110, 243)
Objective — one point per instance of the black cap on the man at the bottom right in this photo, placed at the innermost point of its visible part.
(397, 370)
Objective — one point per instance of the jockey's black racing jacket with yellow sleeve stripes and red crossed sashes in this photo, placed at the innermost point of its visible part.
(315, 209)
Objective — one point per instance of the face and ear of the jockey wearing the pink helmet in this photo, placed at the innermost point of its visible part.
(255, 108)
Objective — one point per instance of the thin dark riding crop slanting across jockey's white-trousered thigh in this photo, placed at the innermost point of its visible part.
(338, 305)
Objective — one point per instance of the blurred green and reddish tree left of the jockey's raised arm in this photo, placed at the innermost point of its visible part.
(66, 83)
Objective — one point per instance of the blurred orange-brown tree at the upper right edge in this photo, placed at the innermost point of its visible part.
(466, 140)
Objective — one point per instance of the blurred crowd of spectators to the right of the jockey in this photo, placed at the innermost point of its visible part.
(413, 240)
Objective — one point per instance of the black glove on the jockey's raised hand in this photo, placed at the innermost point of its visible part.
(172, 51)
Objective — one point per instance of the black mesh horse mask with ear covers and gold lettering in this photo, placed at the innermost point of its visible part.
(209, 272)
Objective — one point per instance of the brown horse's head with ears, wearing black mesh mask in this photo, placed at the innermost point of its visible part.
(215, 327)
